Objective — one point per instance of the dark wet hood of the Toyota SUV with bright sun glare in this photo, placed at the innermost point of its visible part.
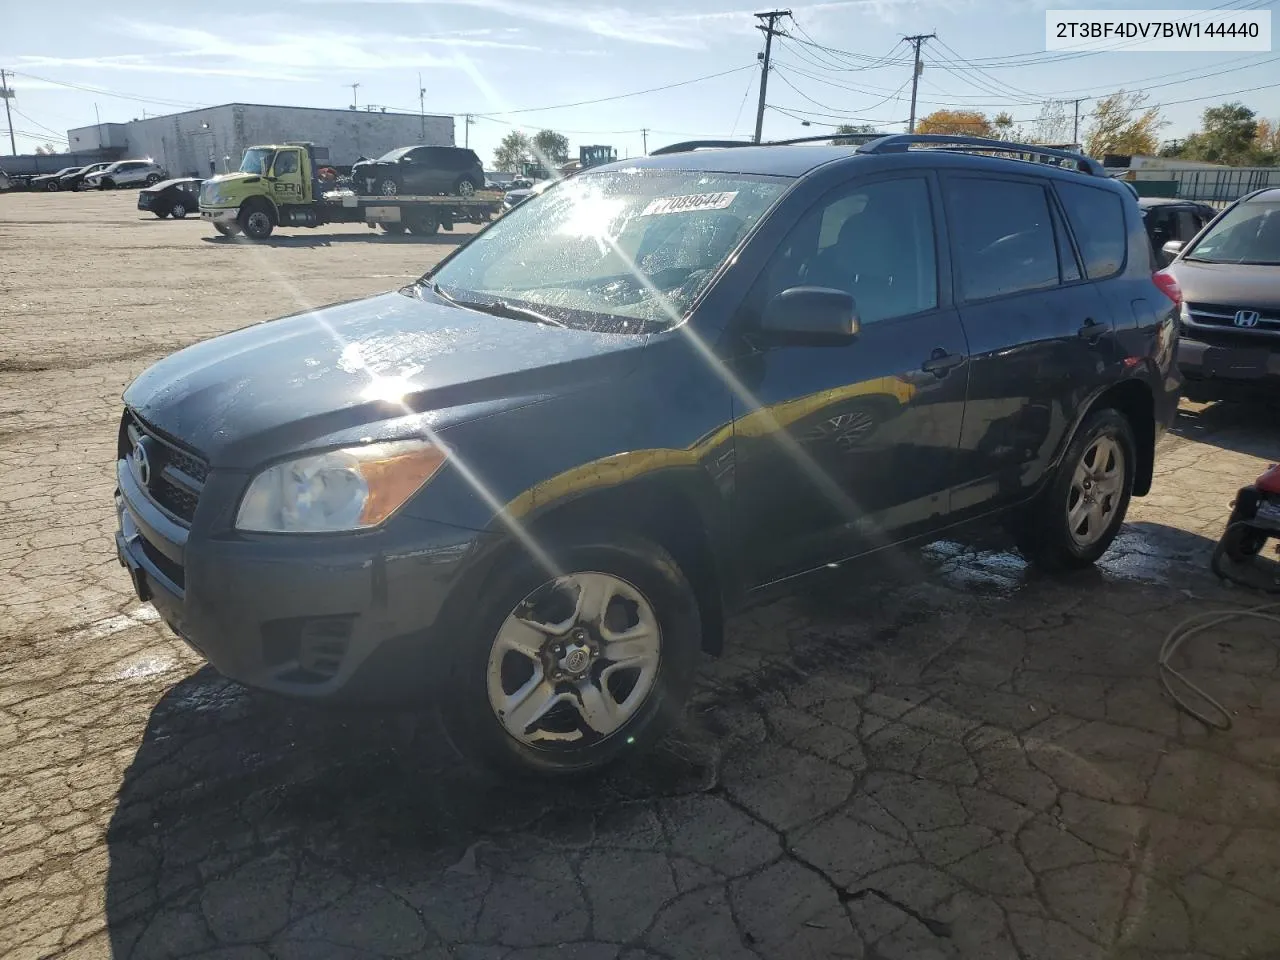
(372, 368)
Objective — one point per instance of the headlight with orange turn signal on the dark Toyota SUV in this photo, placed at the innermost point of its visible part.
(345, 490)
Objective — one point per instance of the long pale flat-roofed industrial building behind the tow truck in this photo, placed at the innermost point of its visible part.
(213, 140)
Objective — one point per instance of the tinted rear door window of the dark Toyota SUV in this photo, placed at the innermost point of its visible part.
(1002, 236)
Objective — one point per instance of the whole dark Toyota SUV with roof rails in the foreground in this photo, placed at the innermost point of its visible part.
(529, 487)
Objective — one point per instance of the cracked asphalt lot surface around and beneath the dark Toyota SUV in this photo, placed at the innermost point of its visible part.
(943, 757)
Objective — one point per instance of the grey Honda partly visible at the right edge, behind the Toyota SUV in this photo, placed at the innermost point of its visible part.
(1231, 317)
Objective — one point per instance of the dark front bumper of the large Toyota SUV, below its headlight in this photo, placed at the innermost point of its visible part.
(346, 618)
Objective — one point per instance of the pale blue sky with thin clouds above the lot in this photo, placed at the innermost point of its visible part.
(506, 61)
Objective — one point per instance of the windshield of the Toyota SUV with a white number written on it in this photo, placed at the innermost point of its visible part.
(616, 252)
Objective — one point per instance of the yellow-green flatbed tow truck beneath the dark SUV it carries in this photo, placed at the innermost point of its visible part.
(284, 186)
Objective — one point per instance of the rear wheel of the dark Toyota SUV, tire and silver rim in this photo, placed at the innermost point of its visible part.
(1062, 533)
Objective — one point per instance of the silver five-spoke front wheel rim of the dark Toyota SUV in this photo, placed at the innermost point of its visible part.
(574, 661)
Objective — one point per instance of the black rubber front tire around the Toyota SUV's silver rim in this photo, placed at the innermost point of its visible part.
(644, 578)
